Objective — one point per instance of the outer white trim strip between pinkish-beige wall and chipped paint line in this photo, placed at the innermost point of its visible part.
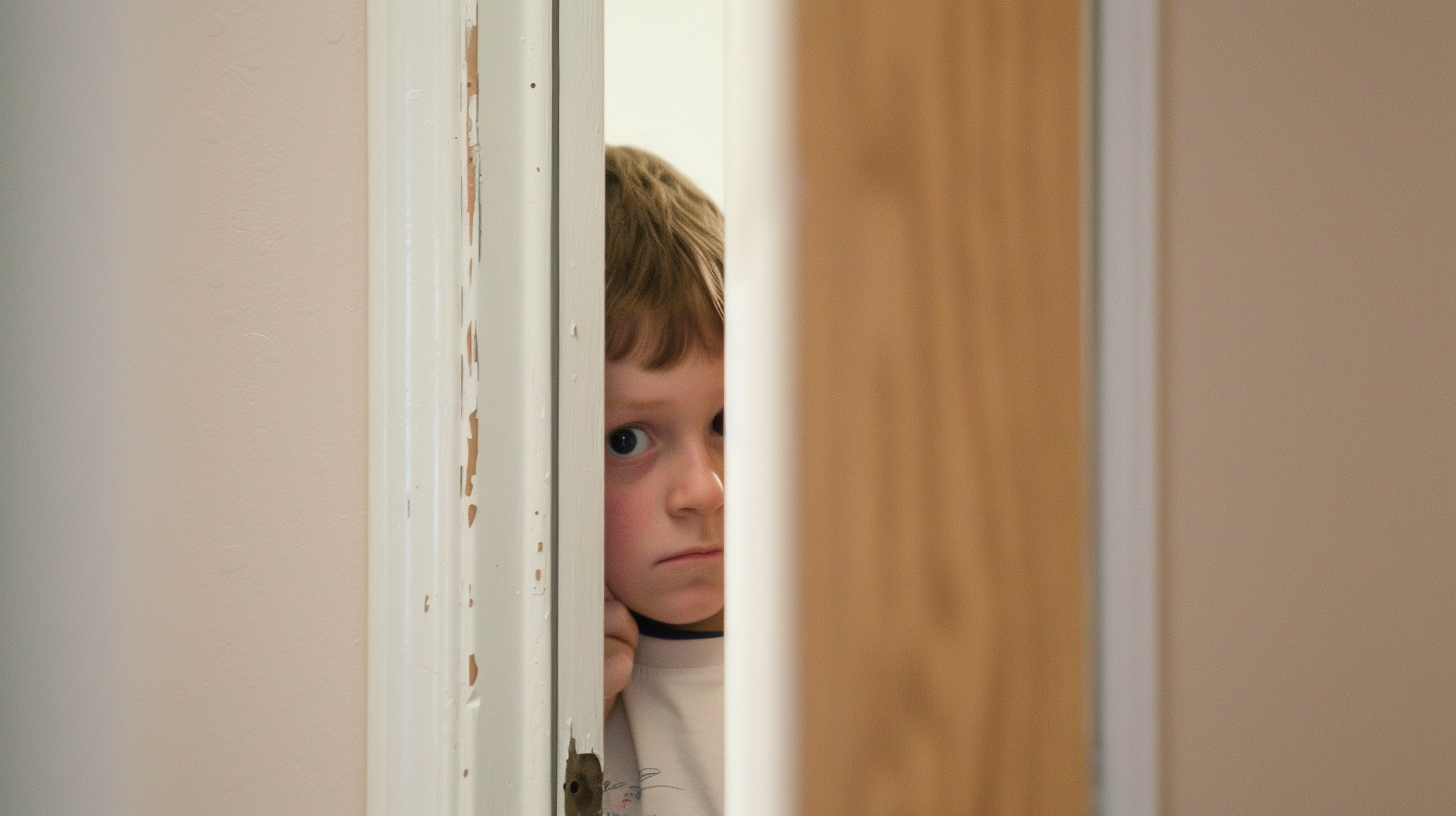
(420, 256)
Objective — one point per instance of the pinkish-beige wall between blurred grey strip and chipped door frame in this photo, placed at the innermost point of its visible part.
(250, 314)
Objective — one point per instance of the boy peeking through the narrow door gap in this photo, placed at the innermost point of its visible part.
(665, 492)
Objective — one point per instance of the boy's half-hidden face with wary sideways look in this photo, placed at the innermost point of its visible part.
(665, 490)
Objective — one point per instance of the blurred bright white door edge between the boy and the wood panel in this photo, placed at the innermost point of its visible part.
(761, 219)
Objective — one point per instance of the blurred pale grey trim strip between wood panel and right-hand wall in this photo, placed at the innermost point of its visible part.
(1126, 371)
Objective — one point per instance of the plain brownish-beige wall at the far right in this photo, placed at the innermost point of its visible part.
(1310, 209)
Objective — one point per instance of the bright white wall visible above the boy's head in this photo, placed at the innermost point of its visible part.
(665, 76)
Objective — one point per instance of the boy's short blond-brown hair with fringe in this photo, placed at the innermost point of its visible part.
(665, 263)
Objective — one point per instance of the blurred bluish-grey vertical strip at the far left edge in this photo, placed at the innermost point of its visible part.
(60, 436)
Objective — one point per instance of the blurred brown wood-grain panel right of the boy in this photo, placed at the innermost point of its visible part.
(943, 464)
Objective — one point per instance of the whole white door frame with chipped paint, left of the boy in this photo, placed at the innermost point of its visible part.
(486, 403)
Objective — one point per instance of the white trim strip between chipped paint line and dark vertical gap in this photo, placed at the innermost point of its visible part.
(512, 582)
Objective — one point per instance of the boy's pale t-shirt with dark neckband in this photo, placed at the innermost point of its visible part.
(666, 734)
